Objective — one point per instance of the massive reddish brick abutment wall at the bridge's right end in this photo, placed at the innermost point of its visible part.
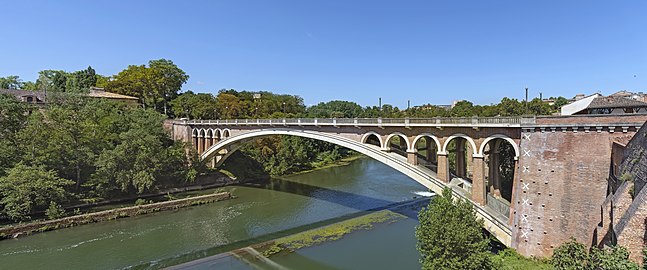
(560, 185)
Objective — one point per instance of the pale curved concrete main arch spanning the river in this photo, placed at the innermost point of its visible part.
(497, 227)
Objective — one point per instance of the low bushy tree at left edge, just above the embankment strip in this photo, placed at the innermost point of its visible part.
(26, 189)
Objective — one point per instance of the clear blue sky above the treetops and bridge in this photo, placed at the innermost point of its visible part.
(423, 51)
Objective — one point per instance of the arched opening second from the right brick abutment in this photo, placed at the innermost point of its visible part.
(460, 152)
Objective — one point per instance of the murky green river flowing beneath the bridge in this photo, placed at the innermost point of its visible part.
(259, 213)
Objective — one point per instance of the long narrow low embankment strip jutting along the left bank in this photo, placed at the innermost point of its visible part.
(42, 226)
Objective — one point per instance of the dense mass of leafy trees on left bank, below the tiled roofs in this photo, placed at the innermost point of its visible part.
(82, 150)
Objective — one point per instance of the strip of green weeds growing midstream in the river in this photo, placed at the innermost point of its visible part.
(328, 233)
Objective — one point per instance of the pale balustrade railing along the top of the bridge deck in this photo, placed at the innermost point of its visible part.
(438, 121)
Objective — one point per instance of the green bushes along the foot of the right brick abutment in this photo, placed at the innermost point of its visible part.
(451, 237)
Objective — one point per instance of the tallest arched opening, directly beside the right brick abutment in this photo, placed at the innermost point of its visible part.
(499, 156)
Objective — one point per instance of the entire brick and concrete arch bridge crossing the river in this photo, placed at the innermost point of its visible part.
(525, 176)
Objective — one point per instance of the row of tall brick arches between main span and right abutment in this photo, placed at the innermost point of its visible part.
(489, 166)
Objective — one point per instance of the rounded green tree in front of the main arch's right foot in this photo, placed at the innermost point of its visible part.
(450, 236)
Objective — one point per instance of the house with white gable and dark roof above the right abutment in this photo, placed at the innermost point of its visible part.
(598, 104)
